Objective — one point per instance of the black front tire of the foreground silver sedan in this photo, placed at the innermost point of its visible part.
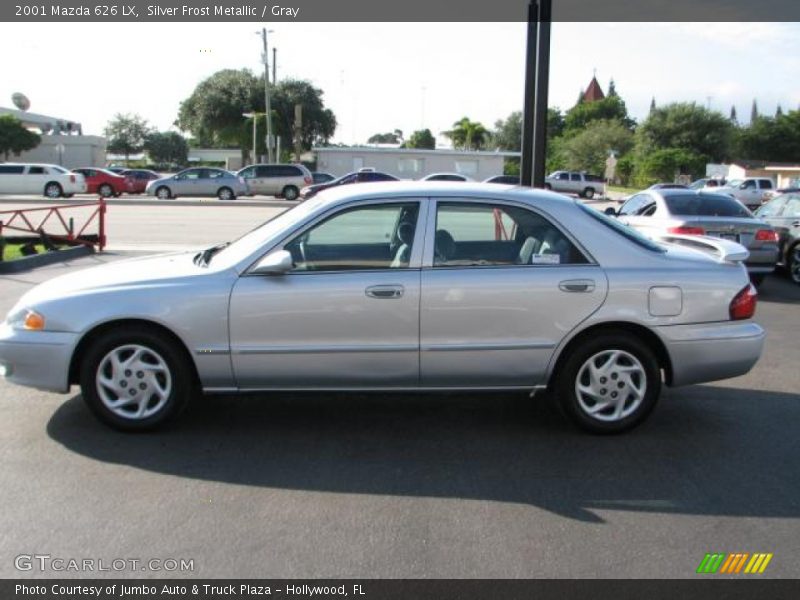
(179, 374)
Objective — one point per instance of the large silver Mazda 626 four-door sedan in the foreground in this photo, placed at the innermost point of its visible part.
(398, 286)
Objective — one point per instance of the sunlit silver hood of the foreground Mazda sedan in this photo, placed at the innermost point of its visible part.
(164, 269)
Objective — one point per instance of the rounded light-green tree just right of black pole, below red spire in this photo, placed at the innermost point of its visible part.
(589, 149)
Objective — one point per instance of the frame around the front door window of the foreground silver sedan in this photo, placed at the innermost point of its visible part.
(414, 262)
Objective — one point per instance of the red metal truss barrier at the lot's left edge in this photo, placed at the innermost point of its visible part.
(18, 220)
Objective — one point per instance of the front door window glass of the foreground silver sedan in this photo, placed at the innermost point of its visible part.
(369, 237)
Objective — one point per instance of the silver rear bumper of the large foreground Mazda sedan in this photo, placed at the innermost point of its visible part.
(712, 351)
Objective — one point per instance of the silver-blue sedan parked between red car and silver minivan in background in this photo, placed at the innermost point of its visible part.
(198, 181)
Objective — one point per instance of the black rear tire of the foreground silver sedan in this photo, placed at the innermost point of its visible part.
(576, 365)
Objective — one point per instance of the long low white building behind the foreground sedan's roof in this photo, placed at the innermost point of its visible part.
(412, 163)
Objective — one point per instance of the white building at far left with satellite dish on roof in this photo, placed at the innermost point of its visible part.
(63, 142)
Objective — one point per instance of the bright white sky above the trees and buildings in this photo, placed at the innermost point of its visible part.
(378, 77)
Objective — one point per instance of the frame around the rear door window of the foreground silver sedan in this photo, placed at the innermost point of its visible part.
(430, 234)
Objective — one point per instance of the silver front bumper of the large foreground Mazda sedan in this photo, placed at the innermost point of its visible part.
(38, 359)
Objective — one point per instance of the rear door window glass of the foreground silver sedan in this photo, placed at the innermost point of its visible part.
(473, 235)
